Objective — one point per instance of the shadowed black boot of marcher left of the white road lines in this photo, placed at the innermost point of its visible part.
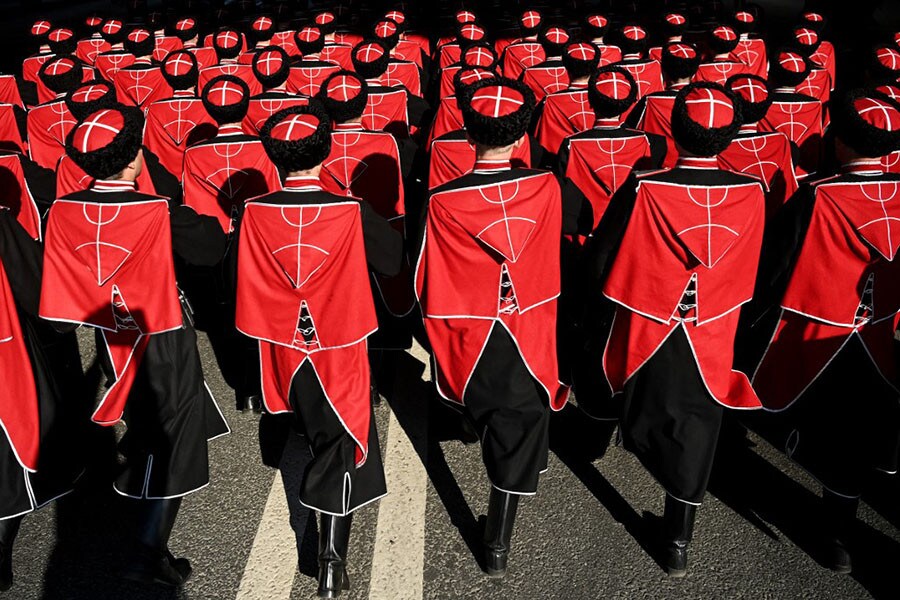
(152, 562)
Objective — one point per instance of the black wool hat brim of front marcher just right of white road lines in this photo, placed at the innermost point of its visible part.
(496, 132)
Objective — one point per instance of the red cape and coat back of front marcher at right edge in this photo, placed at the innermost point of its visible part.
(853, 236)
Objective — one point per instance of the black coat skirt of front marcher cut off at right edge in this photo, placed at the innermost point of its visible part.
(846, 424)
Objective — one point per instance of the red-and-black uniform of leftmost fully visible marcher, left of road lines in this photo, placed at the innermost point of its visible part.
(108, 264)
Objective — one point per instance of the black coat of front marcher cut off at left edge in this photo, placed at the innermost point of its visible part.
(62, 400)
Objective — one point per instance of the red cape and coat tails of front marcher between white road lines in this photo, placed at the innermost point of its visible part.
(309, 258)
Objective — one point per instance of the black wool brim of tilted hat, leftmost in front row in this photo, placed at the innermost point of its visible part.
(111, 160)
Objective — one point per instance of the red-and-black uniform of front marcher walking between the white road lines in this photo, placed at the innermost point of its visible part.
(304, 254)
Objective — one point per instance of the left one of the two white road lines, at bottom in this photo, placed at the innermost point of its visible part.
(272, 565)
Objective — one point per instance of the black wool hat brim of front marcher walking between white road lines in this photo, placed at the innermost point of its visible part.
(300, 155)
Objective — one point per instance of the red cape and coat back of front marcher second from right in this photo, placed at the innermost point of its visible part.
(677, 232)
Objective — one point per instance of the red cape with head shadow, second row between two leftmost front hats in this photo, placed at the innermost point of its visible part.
(221, 175)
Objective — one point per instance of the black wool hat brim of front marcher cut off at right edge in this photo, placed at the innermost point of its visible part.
(860, 136)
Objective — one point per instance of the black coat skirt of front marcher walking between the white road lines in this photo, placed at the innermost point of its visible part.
(325, 480)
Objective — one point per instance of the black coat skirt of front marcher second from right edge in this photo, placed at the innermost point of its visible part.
(670, 422)
